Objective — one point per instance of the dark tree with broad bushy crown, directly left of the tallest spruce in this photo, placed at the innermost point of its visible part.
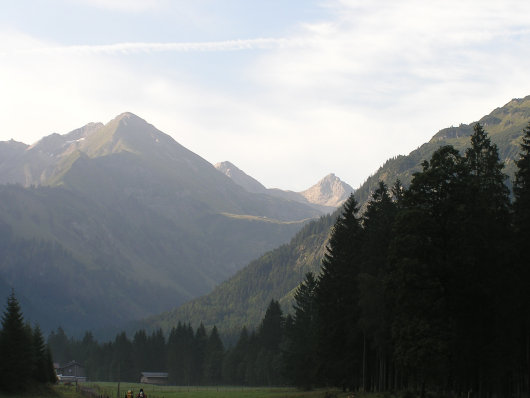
(421, 262)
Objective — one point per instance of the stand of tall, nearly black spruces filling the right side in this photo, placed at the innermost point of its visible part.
(428, 290)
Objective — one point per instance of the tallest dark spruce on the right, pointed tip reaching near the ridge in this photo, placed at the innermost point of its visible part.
(486, 268)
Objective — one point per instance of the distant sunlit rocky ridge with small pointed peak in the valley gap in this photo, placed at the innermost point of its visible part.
(326, 195)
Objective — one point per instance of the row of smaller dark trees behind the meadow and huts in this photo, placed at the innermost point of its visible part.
(190, 357)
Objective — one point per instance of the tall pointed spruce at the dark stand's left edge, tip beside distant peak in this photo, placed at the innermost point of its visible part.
(340, 343)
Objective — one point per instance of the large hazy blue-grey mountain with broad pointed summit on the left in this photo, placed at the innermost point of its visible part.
(115, 222)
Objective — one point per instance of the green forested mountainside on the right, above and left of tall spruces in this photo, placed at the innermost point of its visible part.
(243, 299)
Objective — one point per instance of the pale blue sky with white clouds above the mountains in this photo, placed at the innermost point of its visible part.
(287, 90)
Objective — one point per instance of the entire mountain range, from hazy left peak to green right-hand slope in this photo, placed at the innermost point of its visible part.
(118, 221)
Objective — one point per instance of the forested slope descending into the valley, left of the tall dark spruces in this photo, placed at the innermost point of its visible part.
(243, 299)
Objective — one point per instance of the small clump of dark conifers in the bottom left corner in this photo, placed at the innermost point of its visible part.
(26, 361)
